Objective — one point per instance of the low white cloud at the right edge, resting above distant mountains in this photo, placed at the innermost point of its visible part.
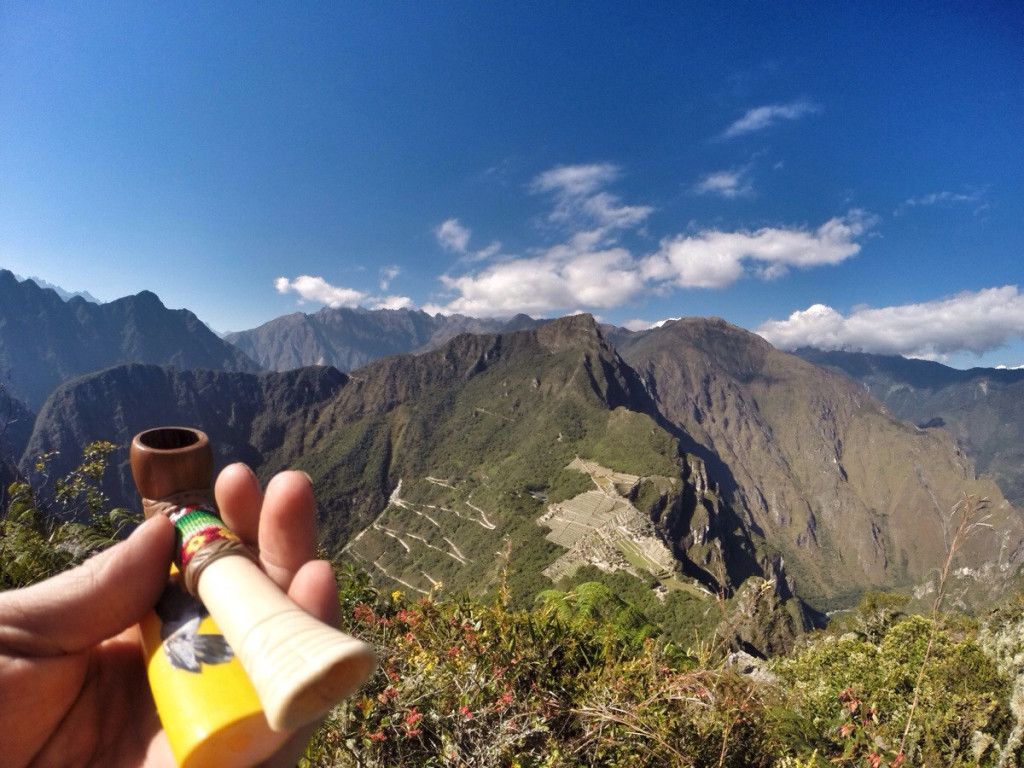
(975, 323)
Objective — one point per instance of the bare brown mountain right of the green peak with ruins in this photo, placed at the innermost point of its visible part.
(851, 497)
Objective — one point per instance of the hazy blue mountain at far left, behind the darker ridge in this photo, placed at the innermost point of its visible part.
(46, 342)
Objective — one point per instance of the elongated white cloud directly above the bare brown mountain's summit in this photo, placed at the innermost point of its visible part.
(717, 260)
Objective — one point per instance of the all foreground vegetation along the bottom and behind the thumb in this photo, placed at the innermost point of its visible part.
(582, 679)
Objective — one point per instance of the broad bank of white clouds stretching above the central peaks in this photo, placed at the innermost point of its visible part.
(590, 269)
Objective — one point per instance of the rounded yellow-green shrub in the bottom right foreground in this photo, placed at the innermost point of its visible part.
(858, 697)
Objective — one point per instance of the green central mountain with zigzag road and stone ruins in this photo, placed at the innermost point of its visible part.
(449, 462)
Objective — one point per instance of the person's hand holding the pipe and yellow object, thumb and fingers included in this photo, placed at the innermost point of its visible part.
(73, 684)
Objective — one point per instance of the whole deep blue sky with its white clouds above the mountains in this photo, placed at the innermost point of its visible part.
(844, 176)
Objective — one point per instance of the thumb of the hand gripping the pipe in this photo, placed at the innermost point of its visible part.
(99, 600)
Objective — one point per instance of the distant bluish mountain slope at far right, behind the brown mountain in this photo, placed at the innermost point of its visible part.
(983, 408)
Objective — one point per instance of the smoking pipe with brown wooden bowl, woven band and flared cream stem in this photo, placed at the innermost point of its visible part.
(300, 666)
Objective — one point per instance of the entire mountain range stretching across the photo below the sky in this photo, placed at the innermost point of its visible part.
(681, 465)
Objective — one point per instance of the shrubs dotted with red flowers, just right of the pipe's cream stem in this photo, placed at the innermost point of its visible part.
(461, 684)
